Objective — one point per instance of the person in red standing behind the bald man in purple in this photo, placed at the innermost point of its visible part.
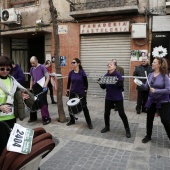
(48, 66)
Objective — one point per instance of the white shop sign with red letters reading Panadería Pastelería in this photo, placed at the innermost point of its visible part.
(106, 27)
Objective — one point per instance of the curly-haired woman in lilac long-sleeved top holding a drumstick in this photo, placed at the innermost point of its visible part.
(159, 86)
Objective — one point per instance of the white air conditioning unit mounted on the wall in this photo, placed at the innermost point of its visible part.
(10, 16)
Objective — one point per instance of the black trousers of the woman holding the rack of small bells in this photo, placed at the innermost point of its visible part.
(119, 104)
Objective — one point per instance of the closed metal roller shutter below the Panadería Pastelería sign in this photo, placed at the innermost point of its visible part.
(97, 51)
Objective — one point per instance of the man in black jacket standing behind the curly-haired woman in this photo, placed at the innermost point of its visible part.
(142, 95)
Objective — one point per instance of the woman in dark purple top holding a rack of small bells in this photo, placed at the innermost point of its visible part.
(114, 97)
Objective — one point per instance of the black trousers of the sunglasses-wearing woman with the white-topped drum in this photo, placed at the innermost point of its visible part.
(84, 107)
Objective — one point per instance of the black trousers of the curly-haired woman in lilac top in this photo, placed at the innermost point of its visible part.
(164, 112)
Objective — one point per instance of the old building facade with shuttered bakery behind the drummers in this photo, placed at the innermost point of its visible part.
(96, 31)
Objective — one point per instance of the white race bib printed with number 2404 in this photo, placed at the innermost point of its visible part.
(20, 139)
